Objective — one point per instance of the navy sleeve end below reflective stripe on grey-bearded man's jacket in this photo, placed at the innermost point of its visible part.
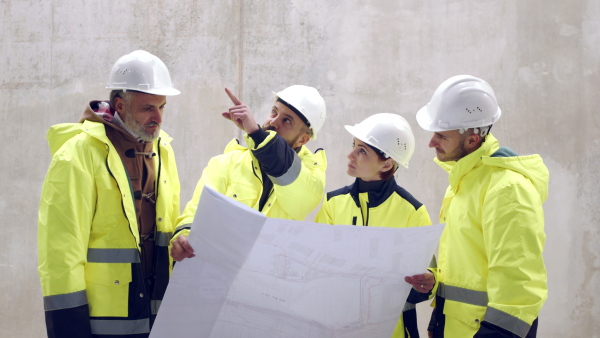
(69, 323)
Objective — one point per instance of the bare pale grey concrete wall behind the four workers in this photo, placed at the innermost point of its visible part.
(541, 57)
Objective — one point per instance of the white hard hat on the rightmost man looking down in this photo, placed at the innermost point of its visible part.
(461, 102)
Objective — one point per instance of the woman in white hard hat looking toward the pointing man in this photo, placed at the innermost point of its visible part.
(381, 143)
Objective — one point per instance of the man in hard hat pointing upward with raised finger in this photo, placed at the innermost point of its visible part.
(276, 174)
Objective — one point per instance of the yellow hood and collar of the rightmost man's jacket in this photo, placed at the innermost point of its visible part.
(491, 154)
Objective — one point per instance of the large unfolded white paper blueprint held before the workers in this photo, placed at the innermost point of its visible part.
(255, 276)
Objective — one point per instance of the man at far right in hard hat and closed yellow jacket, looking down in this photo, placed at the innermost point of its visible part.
(491, 278)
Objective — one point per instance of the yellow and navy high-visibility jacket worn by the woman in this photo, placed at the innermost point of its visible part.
(378, 204)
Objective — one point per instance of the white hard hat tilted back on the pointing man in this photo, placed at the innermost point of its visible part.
(308, 102)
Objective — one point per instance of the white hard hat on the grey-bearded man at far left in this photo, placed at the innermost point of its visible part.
(142, 72)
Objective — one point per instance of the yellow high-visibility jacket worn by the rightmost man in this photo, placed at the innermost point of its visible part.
(490, 264)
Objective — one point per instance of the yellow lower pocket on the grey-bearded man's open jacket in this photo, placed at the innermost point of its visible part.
(108, 288)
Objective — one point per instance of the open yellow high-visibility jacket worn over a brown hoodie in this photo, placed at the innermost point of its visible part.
(88, 238)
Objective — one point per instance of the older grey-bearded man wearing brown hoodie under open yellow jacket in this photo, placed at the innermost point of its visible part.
(108, 209)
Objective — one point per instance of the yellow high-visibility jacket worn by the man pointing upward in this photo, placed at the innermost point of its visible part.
(238, 174)
